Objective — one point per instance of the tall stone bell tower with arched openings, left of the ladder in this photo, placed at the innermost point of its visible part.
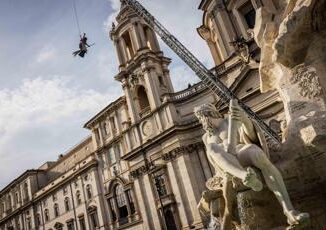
(143, 70)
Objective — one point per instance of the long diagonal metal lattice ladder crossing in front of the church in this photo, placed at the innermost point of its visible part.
(206, 76)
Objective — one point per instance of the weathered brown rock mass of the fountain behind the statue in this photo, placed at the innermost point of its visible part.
(293, 61)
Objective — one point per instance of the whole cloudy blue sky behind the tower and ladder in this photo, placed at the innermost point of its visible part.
(46, 95)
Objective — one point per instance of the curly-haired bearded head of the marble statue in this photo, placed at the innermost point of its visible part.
(207, 114)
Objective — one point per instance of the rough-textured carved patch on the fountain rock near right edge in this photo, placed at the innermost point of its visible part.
(308, 81)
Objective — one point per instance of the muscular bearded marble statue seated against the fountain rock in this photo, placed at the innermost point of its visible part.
(237, 145)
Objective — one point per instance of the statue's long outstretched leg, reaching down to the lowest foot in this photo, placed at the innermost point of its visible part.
(274, 180)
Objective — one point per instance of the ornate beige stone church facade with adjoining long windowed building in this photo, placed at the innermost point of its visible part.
(144, 165)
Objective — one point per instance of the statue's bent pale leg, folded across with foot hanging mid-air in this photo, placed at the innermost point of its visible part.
(229, 163)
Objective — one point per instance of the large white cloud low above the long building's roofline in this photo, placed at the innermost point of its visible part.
(37, 119)
